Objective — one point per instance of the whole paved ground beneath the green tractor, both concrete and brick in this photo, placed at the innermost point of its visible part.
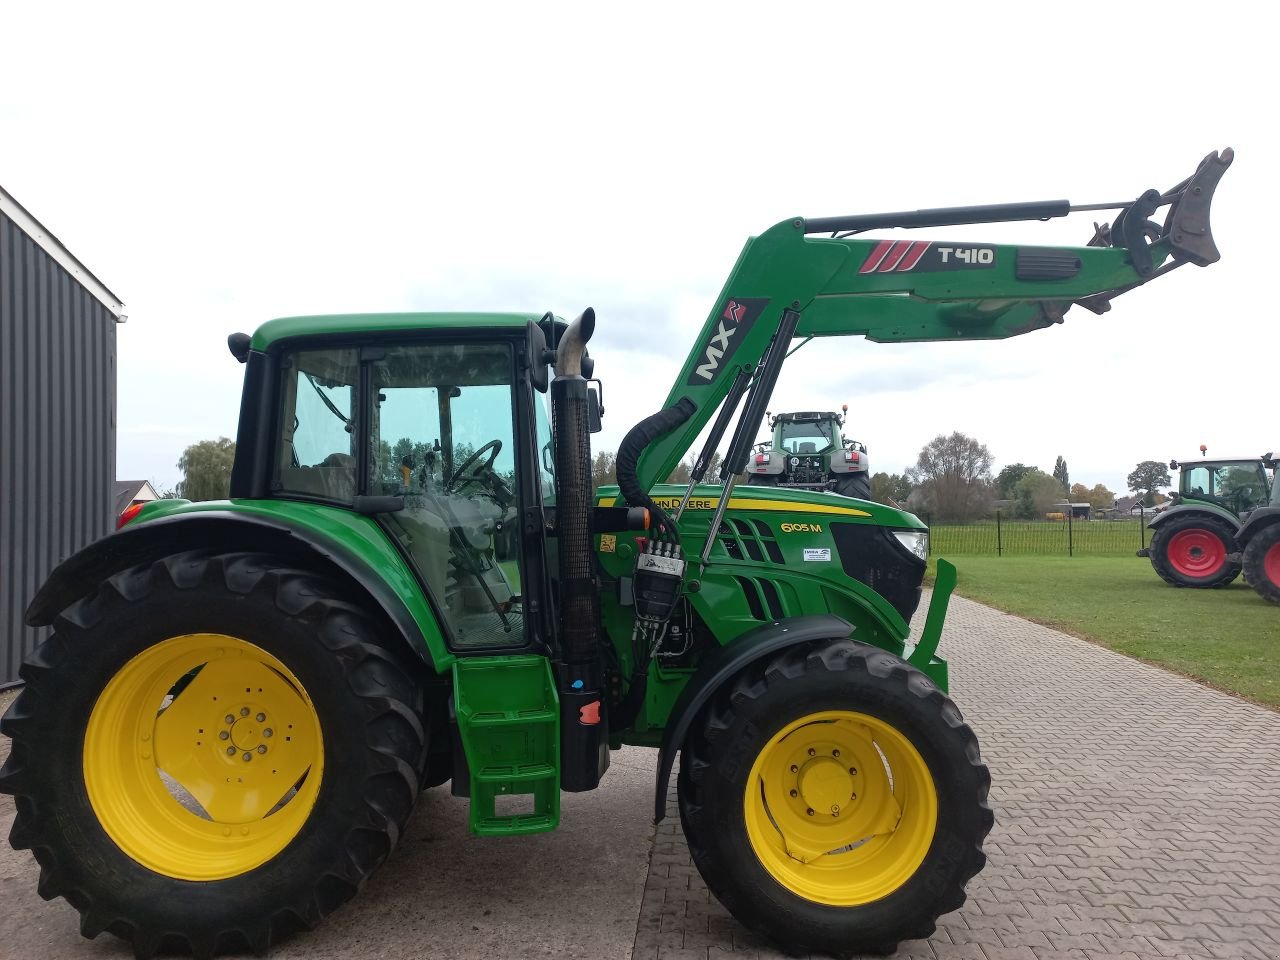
(1137, 816)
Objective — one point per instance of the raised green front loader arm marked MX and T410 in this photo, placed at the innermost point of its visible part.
(902, 290)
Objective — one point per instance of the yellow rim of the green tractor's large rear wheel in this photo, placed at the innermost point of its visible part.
(203, 757)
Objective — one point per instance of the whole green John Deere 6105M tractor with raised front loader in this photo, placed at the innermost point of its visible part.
(412, 584)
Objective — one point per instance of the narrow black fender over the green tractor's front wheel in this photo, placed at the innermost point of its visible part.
(724, 665)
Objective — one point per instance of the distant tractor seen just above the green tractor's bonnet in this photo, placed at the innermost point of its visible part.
(808, 452)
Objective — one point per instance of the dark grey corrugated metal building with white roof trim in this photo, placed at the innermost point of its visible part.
(57, 415)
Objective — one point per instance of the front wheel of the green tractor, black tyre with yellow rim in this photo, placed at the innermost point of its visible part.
(835, 801)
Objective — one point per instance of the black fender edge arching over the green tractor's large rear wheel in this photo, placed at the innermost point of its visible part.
(76, 577)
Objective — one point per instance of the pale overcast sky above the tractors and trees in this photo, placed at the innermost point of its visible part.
(218, 166)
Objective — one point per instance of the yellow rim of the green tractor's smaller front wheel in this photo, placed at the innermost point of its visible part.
(840, 808)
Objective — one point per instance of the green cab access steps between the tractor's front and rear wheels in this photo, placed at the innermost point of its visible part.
(509, 720)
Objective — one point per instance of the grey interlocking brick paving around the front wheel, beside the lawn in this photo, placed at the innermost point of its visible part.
(1137, 816)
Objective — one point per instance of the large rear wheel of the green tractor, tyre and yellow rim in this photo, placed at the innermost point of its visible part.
(170, 659)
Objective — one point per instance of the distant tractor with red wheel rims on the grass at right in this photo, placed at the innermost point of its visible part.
(1226, 519)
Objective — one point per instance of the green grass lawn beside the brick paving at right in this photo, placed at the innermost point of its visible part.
(1229, 638)
